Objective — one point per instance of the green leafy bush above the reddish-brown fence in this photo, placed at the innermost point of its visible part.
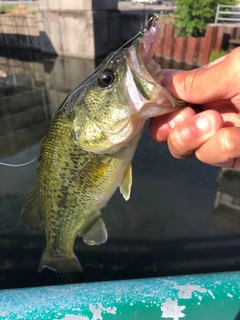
(193, 15)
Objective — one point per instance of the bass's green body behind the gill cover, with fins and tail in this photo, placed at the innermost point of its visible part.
(72, 186)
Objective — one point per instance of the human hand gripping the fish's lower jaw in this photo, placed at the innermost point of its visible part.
(213, 134)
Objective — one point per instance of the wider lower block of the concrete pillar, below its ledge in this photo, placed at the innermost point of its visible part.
(85, 34)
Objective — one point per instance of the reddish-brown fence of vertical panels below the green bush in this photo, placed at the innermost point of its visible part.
(195, 51)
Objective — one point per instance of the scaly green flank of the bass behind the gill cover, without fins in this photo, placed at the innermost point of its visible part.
(76, 188)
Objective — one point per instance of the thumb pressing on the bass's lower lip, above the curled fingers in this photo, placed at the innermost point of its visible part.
(210, 83)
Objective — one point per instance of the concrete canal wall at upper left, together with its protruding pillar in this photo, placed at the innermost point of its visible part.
(92, 30)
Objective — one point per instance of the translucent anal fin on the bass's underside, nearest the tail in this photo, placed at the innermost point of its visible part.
(95, 232)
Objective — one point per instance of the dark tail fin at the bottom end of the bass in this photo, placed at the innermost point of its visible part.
(69, 269)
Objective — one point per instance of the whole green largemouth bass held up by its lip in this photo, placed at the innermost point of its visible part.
(86, 154)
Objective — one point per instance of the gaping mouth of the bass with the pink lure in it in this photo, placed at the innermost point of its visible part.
(146, 73)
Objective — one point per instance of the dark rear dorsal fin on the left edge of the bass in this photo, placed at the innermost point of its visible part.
(31, 212)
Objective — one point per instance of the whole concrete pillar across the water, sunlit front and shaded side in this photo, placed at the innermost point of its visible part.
(84, 28)
